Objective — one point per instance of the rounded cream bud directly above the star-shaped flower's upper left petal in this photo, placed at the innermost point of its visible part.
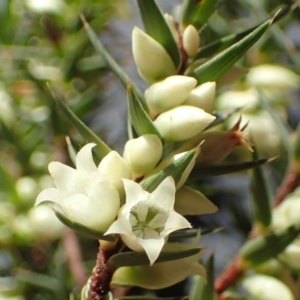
(143, 153)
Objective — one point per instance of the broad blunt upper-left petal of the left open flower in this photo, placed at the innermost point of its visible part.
(63, 177)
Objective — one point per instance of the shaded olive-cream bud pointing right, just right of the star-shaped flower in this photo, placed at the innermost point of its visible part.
(191, 202)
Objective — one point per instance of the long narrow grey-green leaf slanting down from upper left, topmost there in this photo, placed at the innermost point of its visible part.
(111, 63)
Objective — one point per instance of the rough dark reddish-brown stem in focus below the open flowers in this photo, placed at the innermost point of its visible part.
(99, 282)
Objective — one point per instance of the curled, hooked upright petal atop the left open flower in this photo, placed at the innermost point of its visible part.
(84, 159)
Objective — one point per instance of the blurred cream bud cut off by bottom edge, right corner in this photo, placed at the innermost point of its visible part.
(262, 287)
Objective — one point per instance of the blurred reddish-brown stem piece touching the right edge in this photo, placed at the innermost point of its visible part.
(291, 181)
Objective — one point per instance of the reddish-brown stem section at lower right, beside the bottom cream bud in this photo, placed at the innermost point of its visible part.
(229, 276)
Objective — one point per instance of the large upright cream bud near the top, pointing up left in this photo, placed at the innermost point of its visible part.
(152, 60)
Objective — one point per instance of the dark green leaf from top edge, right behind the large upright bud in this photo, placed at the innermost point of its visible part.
(157, 27)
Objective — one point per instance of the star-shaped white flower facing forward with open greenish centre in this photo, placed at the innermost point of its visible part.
(147, 219)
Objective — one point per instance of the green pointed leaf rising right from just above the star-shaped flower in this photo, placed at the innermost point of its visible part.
(175, 169)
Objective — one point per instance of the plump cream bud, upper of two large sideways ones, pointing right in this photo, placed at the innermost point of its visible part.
(170, 92)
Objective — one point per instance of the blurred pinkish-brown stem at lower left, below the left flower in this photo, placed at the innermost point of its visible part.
(74, 257)
